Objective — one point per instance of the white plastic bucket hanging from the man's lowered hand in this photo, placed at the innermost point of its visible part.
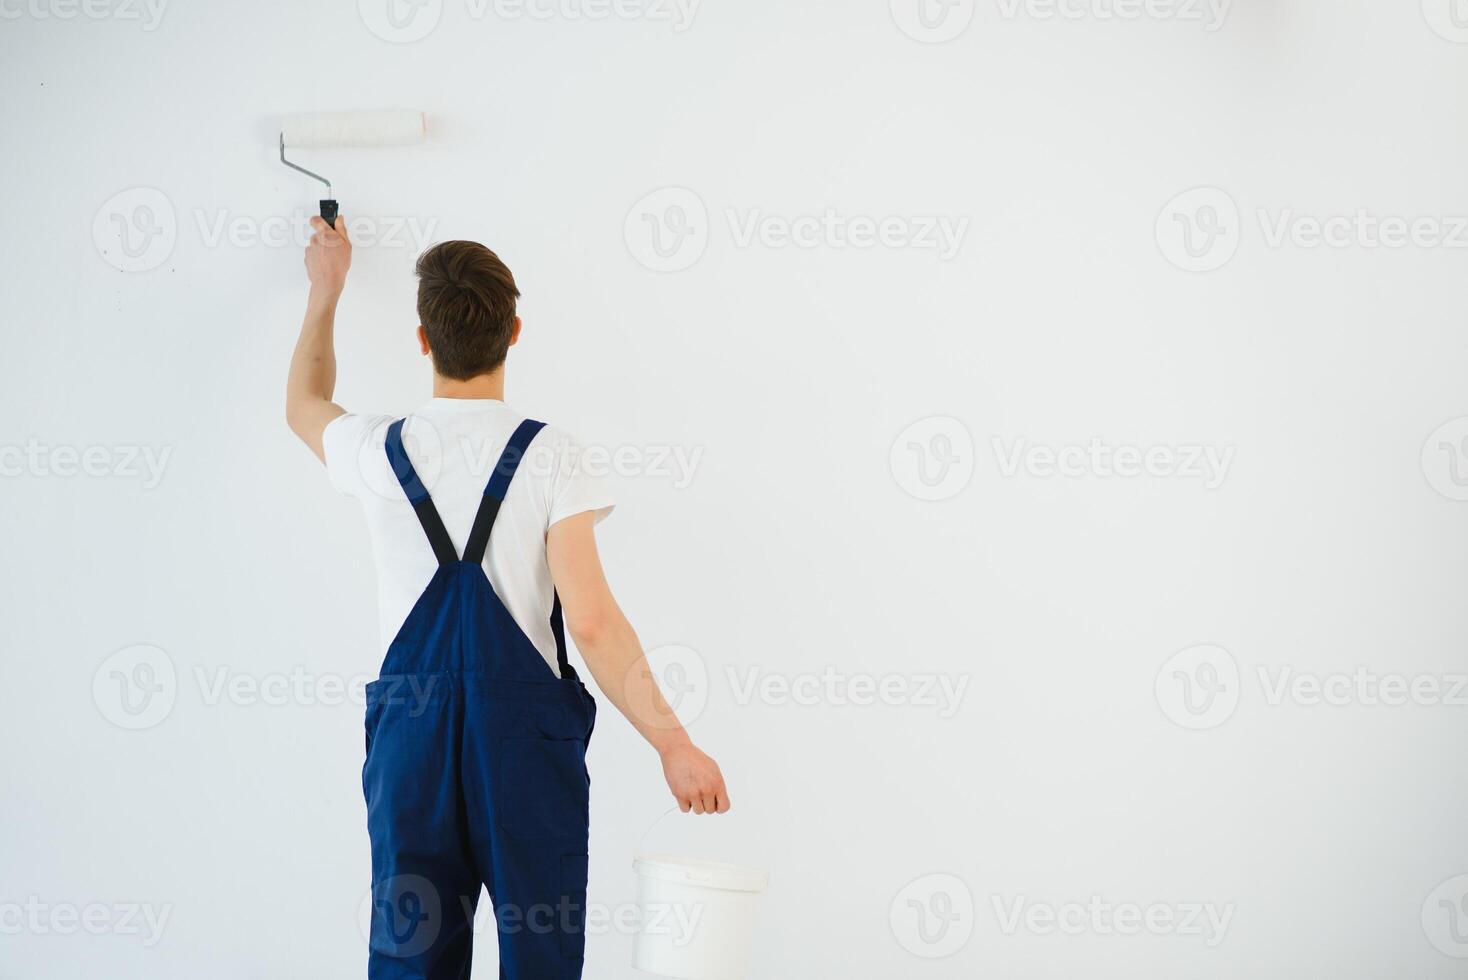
(697, 918)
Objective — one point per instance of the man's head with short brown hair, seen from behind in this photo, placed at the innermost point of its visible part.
(466, 309)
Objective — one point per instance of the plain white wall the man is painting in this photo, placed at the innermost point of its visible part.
(801, 545)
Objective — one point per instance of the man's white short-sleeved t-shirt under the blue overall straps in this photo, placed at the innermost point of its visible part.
(454, 445)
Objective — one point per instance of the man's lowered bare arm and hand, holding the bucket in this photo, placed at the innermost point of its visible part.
(616, 658)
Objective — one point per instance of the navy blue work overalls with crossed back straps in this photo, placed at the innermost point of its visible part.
(476, 769)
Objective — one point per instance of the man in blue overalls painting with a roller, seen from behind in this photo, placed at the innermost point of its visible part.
(482, 527)
